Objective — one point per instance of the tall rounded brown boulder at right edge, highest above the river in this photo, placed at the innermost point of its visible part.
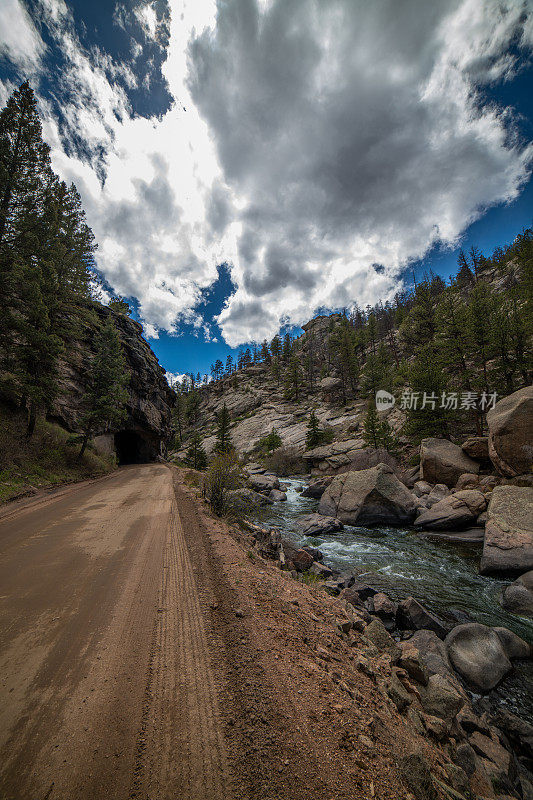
(511, 433)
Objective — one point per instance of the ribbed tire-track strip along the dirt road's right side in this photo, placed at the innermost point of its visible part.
(180, 750)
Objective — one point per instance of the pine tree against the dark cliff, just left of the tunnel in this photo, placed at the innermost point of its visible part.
(107, 394)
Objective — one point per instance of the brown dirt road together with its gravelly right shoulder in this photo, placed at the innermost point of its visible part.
(148, 652)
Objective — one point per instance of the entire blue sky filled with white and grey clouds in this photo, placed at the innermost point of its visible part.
(246, 163)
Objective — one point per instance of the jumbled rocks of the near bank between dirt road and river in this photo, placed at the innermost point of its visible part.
(439, 669)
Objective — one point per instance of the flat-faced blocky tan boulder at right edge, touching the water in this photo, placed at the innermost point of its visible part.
(508, 546)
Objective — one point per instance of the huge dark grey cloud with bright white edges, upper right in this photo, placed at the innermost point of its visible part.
(350, 131)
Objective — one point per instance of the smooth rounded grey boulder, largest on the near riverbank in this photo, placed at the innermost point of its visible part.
(482, 655)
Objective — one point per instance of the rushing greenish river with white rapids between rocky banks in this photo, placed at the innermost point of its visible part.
(442, 575)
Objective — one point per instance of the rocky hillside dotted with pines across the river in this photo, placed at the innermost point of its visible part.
(459, 343)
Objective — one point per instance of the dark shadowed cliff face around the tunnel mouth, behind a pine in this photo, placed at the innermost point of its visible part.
(143, 434)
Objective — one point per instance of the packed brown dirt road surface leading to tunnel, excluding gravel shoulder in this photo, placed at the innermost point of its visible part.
(106, 683)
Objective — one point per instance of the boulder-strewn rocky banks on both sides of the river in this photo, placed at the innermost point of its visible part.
(443, 667)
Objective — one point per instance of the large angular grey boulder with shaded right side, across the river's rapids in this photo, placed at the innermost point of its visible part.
(369, 497)
